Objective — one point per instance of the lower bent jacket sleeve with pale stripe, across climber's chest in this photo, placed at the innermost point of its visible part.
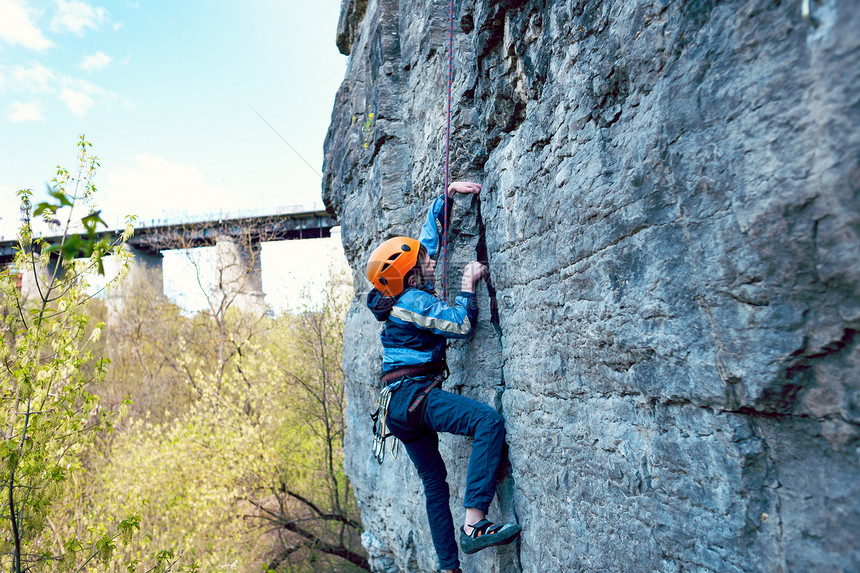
(429, 313)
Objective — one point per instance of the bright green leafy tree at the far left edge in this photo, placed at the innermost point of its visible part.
(48, 415)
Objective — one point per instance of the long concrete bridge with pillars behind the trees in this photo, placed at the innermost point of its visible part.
(237, 236)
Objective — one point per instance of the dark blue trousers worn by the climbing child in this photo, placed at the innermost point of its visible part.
(418, 430)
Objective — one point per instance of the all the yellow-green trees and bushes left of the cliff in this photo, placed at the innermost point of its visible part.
(230, 457)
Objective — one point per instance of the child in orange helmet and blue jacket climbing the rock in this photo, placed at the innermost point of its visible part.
(417, 324)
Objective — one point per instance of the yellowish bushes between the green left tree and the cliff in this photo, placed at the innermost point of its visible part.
(238, 452)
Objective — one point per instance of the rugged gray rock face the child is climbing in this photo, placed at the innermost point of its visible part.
(671, 216)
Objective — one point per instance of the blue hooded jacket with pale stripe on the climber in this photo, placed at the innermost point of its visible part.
(417, 322)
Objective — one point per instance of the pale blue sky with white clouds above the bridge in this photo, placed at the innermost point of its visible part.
(168, 93)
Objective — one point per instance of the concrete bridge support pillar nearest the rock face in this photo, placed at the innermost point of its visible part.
(239, 283)
